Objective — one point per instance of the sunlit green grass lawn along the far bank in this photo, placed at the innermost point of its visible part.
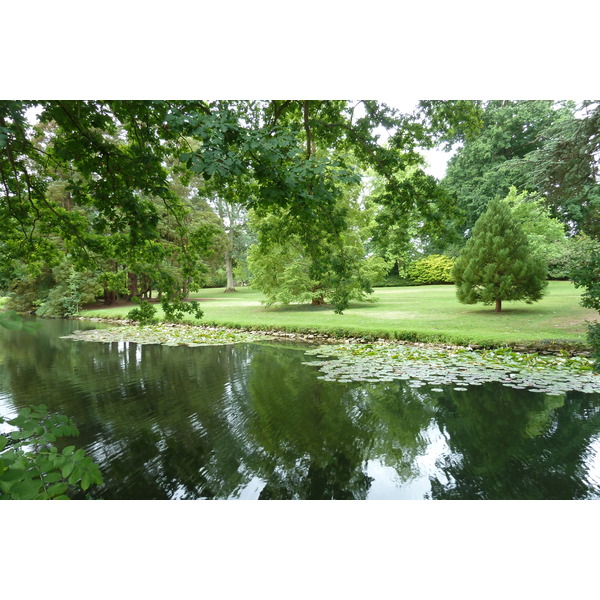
(424, 313)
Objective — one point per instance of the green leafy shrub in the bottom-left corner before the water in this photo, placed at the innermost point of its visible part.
(32, 468)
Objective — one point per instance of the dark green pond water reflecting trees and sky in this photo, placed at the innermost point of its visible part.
(251, 421)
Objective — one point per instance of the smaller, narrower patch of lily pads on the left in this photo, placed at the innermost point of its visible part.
(167, 335)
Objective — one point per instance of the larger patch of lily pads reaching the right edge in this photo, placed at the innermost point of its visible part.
(459, 368)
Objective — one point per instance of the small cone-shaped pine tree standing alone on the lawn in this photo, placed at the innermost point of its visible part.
(497, 263)
